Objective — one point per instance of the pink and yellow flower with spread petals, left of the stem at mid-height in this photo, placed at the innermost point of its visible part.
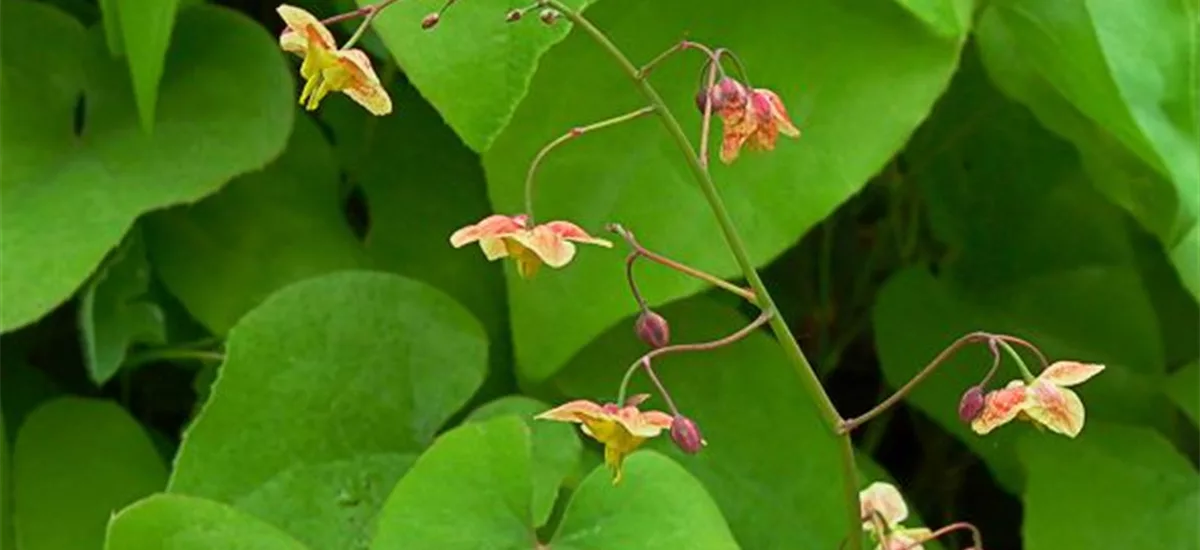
(551, 243)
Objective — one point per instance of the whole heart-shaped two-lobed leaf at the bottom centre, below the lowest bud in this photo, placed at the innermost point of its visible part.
(473, 491)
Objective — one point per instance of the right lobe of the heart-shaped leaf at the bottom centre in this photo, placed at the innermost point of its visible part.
(658, 506)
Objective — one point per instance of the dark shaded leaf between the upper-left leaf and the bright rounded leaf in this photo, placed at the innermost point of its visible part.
(266, 230)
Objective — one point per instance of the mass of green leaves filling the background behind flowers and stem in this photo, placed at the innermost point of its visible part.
(230, 324)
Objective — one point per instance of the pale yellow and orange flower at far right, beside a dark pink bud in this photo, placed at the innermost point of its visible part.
(1046, 402)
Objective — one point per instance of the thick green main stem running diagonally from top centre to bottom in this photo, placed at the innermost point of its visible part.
(809, 380)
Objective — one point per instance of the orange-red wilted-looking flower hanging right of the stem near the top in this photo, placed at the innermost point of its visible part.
(752, 117)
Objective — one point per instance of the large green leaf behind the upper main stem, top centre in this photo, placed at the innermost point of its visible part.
(808, 51)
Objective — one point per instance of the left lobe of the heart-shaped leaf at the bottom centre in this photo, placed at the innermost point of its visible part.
(472, 486)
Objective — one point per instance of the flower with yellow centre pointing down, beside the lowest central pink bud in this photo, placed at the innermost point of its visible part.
(621, 429)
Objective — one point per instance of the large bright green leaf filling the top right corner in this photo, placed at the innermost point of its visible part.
(1120, 81)
